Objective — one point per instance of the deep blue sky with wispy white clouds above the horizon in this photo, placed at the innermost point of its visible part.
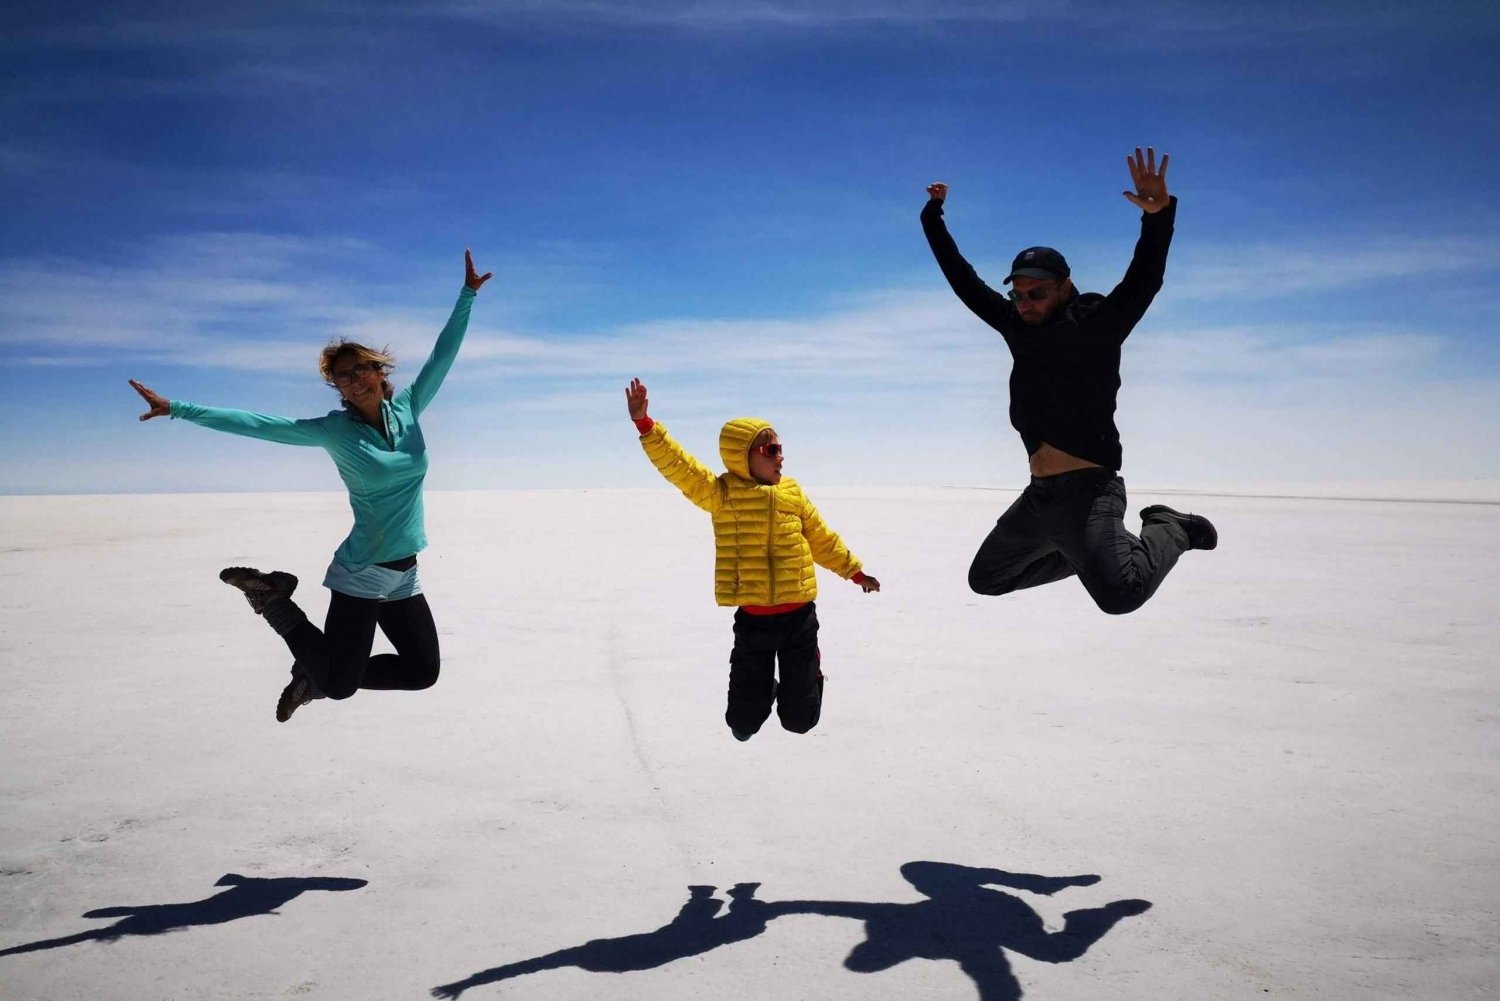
(722, 199)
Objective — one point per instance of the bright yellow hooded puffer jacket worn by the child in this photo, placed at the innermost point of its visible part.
(766, 538)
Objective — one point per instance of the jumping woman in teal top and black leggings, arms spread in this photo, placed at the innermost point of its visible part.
(377, 446)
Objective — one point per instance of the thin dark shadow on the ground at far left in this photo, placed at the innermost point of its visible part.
(245, 898)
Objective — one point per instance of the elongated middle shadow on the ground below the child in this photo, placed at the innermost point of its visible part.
(698, 928)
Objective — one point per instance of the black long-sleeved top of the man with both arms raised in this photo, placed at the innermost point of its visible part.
(1066, 373)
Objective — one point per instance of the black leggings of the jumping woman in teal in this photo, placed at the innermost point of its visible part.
(338, 658)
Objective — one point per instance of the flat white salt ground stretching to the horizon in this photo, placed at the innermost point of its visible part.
(1291, 753)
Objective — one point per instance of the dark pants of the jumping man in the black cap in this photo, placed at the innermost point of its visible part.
(1073, 523)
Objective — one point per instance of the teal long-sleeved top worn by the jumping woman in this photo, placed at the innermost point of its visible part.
(383, 472)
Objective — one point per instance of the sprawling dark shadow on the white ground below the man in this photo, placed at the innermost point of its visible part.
(965, 921)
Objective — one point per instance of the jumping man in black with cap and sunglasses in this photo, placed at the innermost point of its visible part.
(1066, 350)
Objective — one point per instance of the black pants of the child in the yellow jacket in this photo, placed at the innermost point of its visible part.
(761, 642)
